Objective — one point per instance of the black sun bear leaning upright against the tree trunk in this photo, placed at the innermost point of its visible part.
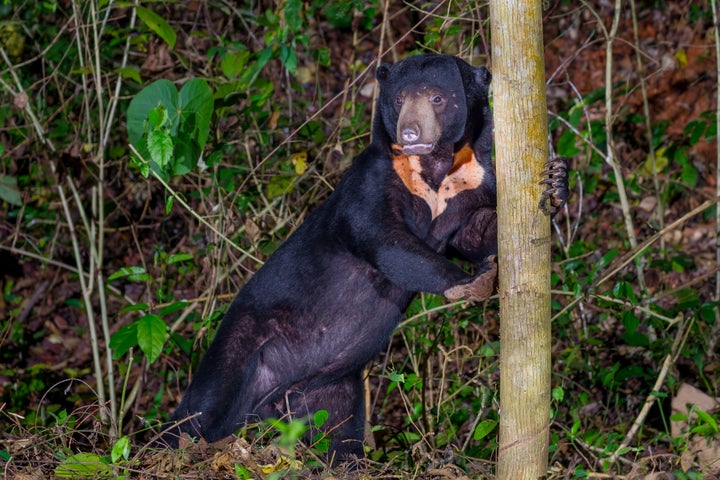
(298, 335)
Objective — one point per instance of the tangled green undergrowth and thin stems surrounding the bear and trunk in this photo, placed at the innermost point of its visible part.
(126, 229)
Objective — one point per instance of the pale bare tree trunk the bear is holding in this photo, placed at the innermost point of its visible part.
(520, 115)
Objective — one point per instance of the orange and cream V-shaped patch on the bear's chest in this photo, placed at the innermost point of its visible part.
(465, 174)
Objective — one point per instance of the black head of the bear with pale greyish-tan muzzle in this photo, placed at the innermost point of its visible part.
(431, 100)
